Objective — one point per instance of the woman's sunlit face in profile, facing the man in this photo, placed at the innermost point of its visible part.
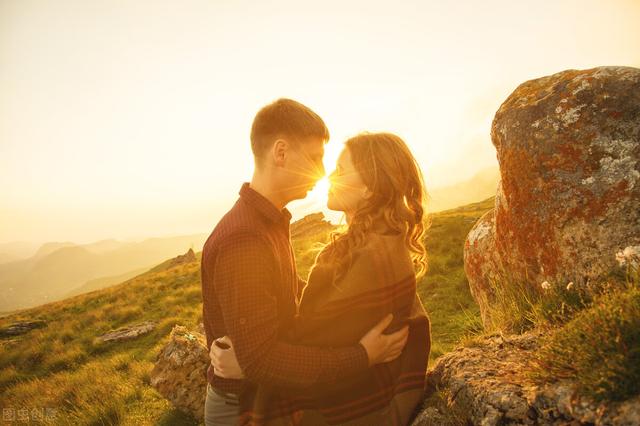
(346, 190)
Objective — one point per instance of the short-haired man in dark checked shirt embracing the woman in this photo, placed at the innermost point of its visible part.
(250, 285)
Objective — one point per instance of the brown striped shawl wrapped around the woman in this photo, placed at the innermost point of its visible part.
(380, 280)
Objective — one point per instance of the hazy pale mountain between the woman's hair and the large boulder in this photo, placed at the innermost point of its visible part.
(481, 186)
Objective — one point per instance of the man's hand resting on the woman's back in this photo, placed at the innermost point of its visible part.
(384, 347)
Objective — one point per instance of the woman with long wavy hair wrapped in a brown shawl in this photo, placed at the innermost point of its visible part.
(363, 274)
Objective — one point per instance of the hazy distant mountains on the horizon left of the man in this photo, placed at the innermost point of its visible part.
(58, 268)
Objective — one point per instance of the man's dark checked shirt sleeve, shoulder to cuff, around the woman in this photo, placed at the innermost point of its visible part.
(244, 276)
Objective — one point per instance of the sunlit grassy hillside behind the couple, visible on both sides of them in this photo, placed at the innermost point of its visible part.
(62, 368)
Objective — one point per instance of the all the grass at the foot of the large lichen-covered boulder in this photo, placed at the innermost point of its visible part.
(592, 331)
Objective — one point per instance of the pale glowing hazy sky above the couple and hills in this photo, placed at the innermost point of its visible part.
(131, 118)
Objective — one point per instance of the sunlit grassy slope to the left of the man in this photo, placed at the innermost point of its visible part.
(63, 368)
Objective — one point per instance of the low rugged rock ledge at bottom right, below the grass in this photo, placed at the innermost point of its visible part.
(486, 381)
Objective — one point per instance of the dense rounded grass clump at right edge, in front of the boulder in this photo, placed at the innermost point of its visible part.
(599, 347)
